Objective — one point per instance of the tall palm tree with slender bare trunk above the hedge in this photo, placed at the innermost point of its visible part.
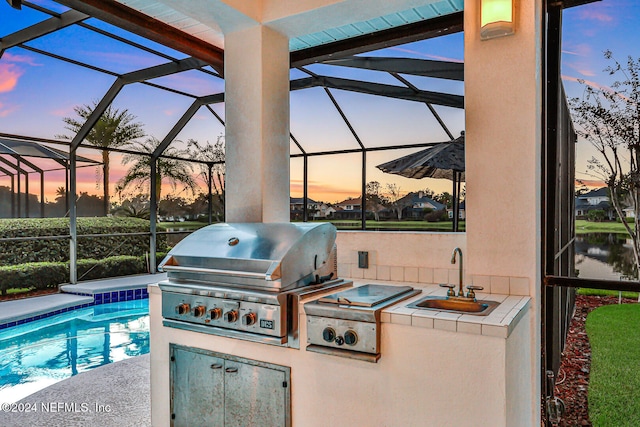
(115, 128)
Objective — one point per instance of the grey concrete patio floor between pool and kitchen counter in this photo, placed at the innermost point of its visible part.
(114, 395)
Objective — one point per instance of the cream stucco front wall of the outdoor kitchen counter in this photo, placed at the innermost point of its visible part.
(425, 377)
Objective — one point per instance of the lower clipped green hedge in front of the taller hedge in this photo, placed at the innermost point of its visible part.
(43, 275)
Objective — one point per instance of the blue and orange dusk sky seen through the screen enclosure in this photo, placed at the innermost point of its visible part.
(36, 92)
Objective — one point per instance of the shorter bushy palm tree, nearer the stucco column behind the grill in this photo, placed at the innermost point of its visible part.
(170, 169)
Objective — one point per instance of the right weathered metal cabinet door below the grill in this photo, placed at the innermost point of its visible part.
(254, 396)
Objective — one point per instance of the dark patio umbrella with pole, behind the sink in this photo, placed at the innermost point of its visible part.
(444, 160)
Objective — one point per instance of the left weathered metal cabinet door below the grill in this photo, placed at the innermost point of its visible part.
(197, 389)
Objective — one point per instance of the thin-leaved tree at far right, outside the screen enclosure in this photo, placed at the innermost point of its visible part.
(609, 119)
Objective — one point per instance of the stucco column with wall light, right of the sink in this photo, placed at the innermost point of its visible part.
(503, 107)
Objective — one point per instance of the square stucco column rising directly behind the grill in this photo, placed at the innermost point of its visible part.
(257, 125)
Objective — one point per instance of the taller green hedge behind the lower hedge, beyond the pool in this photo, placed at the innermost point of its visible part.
(42, 250)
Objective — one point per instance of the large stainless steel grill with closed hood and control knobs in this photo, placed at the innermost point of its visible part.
(245, 280)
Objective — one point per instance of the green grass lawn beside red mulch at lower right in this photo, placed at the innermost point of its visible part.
(614, 385)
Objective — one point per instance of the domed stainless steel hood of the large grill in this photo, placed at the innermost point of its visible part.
(264, 256)
